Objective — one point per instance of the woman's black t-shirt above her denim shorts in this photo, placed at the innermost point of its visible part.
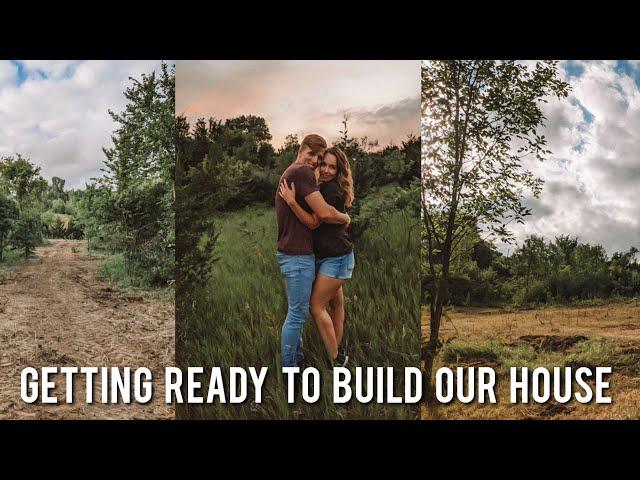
(330, 240)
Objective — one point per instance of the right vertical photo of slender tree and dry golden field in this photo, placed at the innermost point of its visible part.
(530, 236)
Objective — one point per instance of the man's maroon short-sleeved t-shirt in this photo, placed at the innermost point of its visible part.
(294, 237)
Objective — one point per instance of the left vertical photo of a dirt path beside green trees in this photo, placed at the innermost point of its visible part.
(87, 160)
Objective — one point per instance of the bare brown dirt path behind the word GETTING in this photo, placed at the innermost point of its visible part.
(55, 311)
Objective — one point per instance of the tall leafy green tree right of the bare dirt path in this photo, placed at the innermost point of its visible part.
(133, 210)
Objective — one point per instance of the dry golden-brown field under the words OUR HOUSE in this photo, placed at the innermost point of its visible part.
(597, 335)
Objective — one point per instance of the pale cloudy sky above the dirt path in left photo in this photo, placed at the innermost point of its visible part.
(55, 112)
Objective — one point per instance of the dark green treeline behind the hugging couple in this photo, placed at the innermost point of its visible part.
(227, 165)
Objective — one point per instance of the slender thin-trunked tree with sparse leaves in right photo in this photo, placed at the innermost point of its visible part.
(480, 118)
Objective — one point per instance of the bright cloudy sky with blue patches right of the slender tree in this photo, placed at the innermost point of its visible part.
(592, 180)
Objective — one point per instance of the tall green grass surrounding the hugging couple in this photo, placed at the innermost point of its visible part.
(236, 319)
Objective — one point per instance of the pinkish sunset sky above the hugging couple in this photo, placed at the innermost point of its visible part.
(382, 98)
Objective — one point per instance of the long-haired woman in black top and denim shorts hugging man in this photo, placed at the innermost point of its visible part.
(332, 248)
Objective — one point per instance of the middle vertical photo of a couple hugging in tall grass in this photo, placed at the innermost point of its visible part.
(298, 233)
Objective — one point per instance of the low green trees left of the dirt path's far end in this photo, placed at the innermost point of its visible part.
(31, 208)
